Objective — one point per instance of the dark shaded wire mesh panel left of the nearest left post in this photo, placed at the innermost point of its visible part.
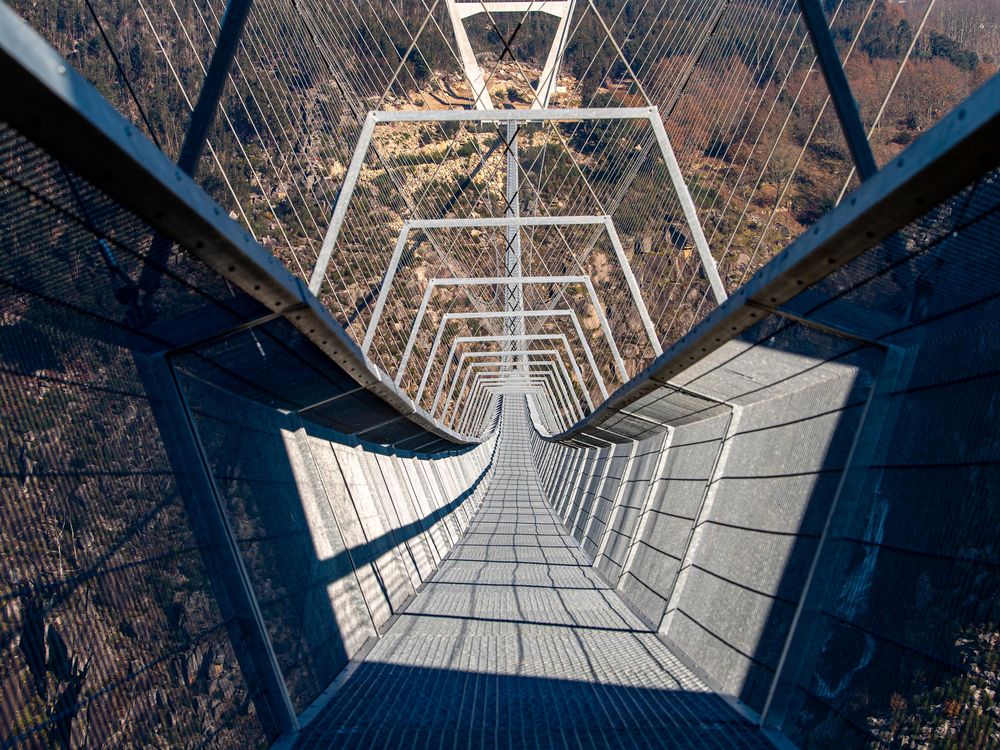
(111, 631)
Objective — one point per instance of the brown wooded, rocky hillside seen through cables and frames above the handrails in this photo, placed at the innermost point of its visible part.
(736, 83)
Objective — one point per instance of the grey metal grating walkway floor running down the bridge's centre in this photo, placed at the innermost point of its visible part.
(516, 643)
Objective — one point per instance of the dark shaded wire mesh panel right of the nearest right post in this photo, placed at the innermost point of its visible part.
(904, 647)
